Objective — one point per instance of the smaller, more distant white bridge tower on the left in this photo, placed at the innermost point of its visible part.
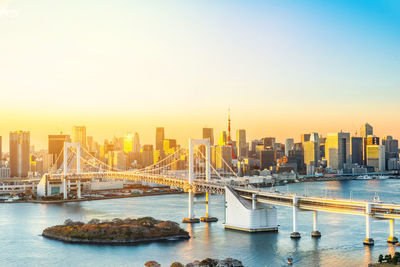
(65, 183)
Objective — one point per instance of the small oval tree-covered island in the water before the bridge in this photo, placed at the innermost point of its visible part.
(116, 232)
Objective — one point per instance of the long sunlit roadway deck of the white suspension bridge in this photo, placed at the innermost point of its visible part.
(346, 206)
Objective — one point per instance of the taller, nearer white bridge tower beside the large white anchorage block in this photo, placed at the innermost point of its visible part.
(191, 217)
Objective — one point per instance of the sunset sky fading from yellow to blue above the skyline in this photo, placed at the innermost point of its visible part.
(283, 67)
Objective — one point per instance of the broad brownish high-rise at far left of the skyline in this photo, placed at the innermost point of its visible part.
(19, 153)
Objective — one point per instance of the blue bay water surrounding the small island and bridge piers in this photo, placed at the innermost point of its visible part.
(341, 243)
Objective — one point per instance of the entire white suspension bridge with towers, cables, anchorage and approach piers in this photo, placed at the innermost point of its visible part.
(246, 208)
